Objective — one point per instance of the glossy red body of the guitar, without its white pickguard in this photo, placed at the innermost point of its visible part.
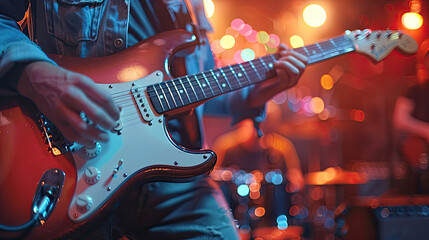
(25, 156)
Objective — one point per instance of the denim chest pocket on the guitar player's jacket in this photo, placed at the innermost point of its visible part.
(73, 20)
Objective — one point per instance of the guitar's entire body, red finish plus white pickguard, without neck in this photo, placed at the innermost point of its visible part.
(140, 150)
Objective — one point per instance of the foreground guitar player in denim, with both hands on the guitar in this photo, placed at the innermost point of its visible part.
(93, 28)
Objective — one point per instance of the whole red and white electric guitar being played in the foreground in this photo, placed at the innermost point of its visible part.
(39, 169)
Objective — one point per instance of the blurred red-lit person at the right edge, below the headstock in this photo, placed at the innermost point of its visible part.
(411, 116)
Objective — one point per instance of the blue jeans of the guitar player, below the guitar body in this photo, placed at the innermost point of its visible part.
(162, 210)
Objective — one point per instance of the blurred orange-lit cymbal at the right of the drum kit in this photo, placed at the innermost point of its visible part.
(335, 176)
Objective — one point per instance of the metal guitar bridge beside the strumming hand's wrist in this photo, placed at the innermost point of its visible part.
(56, 142)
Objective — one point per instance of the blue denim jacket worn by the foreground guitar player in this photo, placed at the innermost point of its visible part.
(92, 28)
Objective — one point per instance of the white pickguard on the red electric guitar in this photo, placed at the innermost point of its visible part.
(140, 145)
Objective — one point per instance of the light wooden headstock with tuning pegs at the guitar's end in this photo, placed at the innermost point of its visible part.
(378, 44)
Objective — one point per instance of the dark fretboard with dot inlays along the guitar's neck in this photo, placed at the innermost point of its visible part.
(191, 89)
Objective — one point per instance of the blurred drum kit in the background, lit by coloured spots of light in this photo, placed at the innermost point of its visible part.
(265, 208)
